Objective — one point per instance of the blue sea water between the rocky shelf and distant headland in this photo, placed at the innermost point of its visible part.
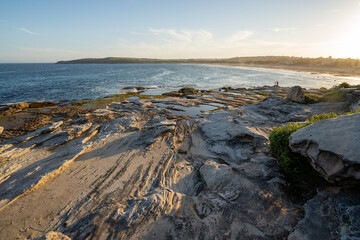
(53, 82)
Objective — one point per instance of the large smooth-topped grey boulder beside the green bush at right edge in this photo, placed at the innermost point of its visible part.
(332, 146)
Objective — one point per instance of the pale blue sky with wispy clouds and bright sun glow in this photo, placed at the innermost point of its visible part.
(49, 30)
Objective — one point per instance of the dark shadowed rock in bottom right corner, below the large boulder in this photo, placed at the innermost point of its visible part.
(332, 214)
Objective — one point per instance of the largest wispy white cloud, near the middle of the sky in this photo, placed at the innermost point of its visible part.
(171, 36)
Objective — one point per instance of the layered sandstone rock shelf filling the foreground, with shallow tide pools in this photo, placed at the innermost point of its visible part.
(188, 164)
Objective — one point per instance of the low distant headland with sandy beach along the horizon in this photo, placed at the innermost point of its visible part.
(337, 66)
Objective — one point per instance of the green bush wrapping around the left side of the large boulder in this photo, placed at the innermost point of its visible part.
(296, 167)
